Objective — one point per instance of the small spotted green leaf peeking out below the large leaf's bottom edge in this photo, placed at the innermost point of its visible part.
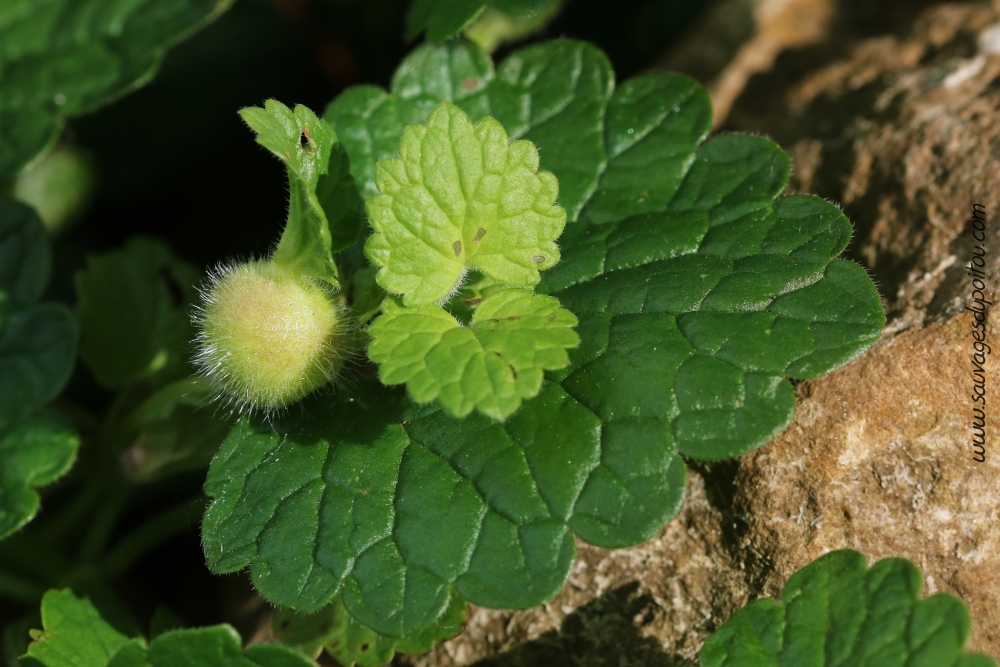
(350, 642)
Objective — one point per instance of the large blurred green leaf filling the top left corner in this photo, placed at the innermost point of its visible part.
(62, 58)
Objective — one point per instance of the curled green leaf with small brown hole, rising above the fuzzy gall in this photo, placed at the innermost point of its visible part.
(323, 208)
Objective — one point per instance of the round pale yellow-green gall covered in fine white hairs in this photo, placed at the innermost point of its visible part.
(269, 336)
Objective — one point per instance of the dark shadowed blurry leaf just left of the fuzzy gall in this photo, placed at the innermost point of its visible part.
(134, 307)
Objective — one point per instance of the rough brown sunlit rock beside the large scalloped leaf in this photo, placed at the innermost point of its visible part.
(893, 110)
